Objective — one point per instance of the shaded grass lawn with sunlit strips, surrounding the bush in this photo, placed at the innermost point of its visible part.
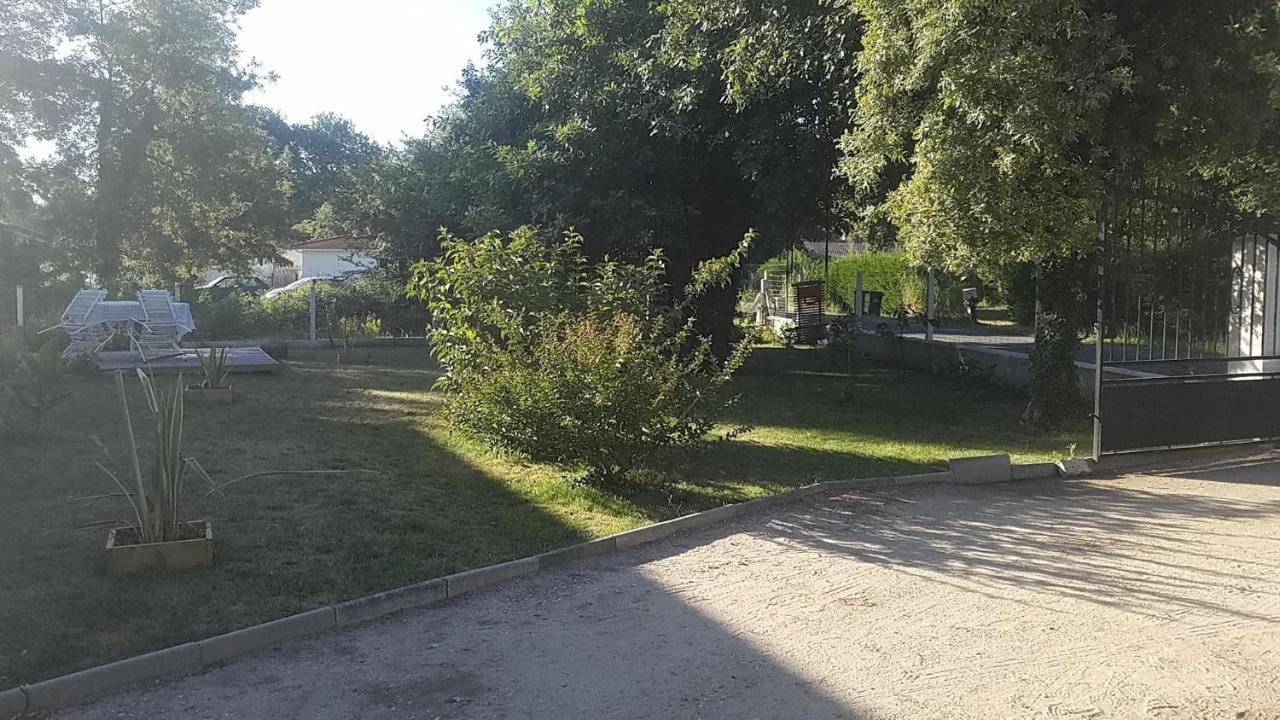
(440, 503)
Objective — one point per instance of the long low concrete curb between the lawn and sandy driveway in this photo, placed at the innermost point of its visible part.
(194, 657)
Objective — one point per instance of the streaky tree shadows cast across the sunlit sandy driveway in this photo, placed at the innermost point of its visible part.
(1141, 552)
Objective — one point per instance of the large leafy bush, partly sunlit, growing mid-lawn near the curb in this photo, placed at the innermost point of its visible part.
(591, 368)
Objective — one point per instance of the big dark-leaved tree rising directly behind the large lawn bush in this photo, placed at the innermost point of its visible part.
(634, 122)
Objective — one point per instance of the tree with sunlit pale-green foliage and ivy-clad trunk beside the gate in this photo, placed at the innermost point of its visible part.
(1020, 121)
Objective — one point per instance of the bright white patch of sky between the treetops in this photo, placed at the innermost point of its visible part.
(386, 65)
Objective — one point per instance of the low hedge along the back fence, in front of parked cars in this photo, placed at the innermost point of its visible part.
(248, 316)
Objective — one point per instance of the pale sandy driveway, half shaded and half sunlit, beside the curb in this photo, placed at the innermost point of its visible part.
(1139, 598)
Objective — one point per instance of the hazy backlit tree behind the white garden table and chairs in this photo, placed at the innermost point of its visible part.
(144, 102)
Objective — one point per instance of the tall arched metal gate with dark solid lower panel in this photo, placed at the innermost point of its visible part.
(1188, 329)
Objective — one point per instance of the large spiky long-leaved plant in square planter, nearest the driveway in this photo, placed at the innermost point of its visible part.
(161, 536)
